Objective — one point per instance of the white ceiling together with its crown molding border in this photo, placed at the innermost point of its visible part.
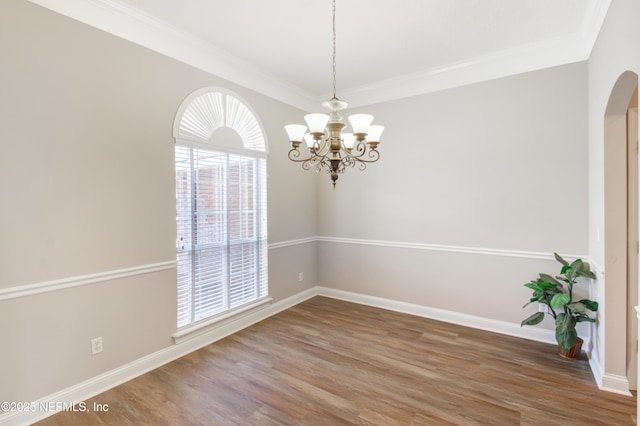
(385, 50)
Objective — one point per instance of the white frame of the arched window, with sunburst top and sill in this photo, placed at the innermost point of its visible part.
(199, 116)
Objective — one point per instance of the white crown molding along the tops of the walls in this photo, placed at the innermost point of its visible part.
(133, 25)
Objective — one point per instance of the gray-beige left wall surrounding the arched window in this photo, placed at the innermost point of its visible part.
(87, 187)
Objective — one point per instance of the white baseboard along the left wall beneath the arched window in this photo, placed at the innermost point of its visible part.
(103, 382)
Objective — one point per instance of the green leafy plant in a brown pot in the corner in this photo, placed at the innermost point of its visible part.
(557, 294)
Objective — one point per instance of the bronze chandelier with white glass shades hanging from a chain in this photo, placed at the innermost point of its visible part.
(330, 149)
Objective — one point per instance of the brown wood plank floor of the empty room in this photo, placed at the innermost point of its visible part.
(329, 362)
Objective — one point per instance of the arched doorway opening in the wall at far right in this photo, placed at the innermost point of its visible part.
(619, 224)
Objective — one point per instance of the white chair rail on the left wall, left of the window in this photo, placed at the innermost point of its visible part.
(80, 280)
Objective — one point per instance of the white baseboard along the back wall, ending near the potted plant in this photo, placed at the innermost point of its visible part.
(487, 324)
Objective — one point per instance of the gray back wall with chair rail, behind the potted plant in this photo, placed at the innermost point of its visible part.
(473, 184)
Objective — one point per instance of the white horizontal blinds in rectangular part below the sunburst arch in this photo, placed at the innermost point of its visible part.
(221, 232)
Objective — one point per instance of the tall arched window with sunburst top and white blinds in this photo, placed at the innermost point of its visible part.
(221, 215)
